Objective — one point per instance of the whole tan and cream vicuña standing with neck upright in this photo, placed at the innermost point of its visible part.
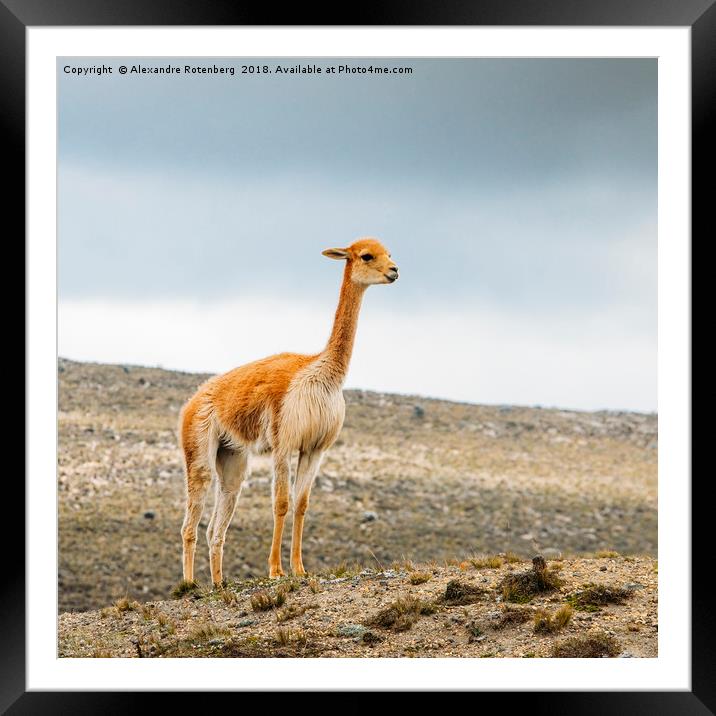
(284, 403)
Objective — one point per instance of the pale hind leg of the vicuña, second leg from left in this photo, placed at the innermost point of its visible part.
(232, 467)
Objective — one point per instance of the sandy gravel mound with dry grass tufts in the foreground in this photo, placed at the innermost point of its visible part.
(603, 606)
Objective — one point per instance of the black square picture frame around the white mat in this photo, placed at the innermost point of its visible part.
(699, 15)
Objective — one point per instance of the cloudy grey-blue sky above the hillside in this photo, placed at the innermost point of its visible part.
(518, 198)
